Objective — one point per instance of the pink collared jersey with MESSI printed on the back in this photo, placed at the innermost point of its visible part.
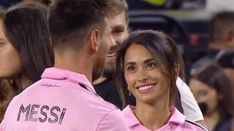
(62, 101)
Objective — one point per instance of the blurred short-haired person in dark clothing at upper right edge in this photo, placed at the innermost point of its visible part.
(221, 46)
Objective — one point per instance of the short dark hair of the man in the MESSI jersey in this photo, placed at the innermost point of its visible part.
(71, 21)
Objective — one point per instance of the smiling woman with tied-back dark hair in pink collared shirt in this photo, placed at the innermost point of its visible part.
(148, 64)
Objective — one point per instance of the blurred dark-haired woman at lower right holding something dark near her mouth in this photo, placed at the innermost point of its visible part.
(212, 90)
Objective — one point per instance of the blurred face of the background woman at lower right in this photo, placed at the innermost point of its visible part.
(205, 94)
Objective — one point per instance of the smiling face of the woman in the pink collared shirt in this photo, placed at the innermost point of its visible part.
(143, 76)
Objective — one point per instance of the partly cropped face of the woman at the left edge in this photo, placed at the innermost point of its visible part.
(9, 57)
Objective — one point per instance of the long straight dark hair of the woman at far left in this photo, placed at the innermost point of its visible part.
(26, 27)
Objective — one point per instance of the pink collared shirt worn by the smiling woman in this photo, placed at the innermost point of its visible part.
(176, 122)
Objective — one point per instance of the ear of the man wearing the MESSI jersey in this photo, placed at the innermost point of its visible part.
(94, 40)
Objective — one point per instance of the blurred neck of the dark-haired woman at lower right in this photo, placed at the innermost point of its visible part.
(212, 120)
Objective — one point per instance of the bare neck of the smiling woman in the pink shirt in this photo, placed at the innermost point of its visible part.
(153, 117)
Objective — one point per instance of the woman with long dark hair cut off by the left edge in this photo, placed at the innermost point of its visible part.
(25, 49)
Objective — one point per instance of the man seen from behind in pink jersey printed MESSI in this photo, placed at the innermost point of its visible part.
(64, 99)
